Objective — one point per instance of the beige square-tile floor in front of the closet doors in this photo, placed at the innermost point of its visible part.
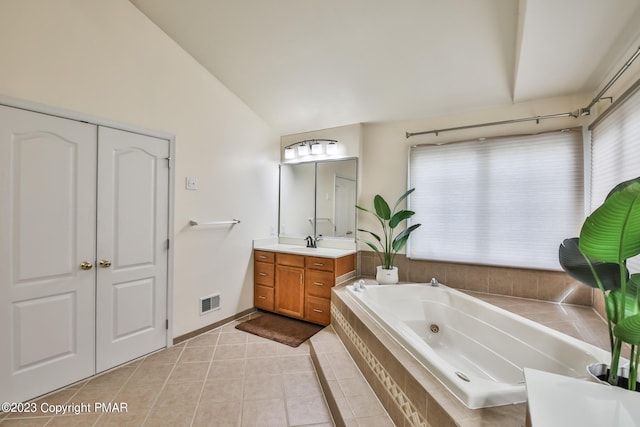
(225, 377)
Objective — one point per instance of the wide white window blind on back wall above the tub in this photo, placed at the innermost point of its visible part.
(507, 201)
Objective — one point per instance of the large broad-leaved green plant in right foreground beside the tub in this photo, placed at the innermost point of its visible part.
(598, 258)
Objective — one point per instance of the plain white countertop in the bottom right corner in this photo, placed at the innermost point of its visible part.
(559, 401)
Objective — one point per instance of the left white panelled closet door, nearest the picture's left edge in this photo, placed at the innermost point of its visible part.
(47, 233)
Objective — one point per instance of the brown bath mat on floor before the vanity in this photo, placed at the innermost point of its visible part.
(282, 329)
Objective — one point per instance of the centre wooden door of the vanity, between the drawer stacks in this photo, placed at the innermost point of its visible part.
(289, 296)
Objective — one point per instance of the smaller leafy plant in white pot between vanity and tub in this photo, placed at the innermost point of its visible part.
(386, 246)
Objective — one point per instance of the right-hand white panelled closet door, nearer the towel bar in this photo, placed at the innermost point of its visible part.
(132, 249)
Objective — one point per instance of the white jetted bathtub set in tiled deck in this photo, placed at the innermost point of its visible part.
(476, 350)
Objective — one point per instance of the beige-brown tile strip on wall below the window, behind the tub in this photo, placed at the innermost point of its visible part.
(553, 286)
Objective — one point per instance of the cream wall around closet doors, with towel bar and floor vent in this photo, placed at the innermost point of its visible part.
(106, 59)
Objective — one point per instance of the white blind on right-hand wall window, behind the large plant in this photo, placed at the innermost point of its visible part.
(615, 152)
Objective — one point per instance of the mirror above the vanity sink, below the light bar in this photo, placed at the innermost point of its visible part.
(318, 199)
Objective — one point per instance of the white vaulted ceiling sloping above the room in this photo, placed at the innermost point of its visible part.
(304, 65)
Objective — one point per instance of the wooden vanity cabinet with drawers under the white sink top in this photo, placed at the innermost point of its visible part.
(300, 286)
